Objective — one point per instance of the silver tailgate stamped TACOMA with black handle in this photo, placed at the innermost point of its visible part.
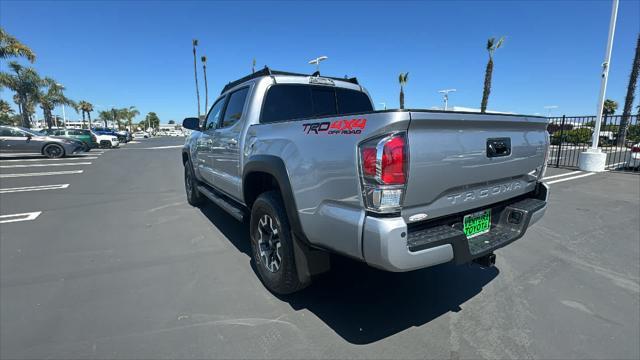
(460, 162)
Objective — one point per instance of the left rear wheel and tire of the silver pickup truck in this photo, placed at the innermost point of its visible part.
(272, 245)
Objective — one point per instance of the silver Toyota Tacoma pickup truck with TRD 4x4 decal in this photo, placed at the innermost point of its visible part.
(315, 170)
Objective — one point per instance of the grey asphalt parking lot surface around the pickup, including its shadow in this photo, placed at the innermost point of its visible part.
(116, 264)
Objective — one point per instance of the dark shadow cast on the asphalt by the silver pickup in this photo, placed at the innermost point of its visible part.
(363, 304)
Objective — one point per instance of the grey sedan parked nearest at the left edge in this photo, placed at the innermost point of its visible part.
(14, 139)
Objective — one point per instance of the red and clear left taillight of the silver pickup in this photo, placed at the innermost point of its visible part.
(383, 165)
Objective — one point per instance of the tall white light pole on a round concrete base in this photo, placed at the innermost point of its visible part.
(594, 159)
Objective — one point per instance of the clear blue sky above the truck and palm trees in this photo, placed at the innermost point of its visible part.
(118, 53)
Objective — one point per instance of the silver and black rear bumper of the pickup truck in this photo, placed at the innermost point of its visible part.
(390, 244)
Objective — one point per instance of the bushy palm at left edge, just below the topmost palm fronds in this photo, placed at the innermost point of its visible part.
(25, 82)
